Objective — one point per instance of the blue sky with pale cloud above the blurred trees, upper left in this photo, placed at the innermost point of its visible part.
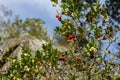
(42, 9)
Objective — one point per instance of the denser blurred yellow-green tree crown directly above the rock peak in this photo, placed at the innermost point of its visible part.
(32, 26)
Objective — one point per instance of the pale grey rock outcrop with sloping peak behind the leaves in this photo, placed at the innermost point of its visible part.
(13, 48)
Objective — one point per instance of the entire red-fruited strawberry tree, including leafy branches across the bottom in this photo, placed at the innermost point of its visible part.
(90, 32)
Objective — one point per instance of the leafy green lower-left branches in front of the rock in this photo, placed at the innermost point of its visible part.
(44, 63)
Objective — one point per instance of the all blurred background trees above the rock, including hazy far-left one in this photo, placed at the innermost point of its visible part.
(13, 26)
